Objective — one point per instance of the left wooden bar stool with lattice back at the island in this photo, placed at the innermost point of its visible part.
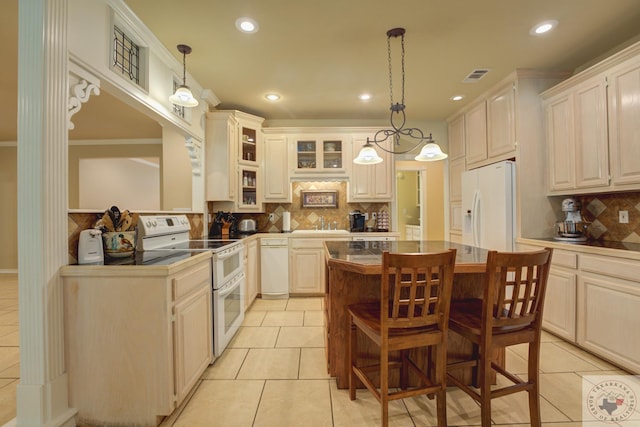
(413, 312)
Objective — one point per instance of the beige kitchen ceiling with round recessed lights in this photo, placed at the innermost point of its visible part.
(320, 55)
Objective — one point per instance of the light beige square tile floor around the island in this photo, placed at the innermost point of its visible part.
(274, 374)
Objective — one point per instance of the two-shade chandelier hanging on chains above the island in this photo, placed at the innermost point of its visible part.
(429, 152)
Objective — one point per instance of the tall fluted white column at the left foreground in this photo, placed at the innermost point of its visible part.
(42, 211)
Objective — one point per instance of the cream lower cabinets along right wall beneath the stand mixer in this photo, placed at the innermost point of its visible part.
(594, 301)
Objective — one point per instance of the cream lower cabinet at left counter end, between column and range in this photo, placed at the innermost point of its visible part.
(141, 335)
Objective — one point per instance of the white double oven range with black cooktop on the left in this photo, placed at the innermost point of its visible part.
(170, 234)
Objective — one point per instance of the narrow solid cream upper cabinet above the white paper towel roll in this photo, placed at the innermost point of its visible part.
(277, 185)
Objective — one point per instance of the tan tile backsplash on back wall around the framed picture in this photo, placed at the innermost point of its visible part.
(305, 218)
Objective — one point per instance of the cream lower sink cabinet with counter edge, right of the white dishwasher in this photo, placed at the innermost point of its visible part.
(307, 266)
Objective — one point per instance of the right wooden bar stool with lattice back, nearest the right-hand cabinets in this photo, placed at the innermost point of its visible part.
(509, 313)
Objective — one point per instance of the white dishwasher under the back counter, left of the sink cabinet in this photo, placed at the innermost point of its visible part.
(274, 267)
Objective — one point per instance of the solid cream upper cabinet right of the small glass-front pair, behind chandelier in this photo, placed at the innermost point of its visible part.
(370, 183)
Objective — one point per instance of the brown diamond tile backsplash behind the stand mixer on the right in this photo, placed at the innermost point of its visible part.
(602, 211)
